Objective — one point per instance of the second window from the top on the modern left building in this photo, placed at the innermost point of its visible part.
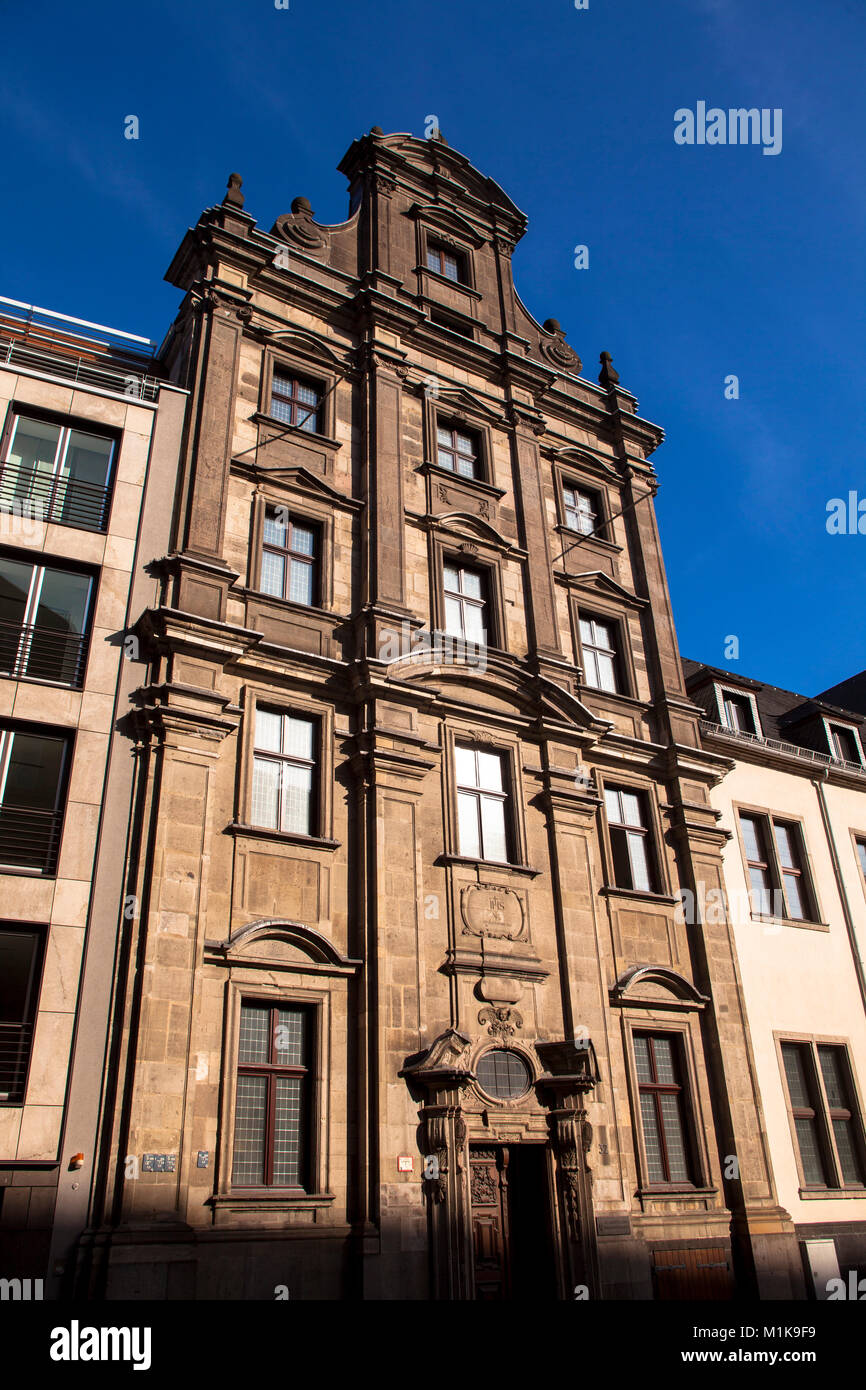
(44, 621)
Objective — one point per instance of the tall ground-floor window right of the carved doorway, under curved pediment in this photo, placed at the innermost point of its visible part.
(660, 1070)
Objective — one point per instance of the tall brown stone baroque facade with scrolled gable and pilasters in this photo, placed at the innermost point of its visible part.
(480, 1003)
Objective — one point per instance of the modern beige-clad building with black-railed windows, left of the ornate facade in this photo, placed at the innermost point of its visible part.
(88, 461)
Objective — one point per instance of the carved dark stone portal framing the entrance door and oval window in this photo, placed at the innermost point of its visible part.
(455, 1111)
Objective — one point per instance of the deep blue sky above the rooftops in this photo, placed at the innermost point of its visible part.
(704, 261)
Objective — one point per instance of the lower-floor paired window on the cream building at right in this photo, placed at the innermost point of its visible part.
(828, 1125)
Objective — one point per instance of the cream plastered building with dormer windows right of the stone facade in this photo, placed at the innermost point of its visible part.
(794, 807)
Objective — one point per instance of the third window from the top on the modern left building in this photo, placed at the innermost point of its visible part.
(33, 789)
